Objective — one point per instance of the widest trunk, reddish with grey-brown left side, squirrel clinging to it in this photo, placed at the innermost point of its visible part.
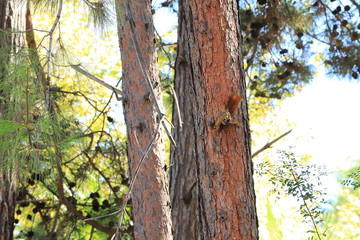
(212, 186)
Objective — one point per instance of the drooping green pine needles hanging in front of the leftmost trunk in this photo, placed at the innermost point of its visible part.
(17, 86)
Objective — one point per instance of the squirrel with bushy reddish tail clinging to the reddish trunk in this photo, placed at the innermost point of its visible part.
(224, 117)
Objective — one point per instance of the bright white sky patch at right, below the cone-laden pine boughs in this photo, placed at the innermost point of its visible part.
(327, 117)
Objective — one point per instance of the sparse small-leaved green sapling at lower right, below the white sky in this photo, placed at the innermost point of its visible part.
(300, 181)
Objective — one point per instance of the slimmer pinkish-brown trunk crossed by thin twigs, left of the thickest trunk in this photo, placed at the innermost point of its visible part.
(150, 196)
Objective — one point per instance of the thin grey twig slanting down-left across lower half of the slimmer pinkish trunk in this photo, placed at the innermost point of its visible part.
(131, 185)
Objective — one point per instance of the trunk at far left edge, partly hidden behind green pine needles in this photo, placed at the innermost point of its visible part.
(12, 16)
